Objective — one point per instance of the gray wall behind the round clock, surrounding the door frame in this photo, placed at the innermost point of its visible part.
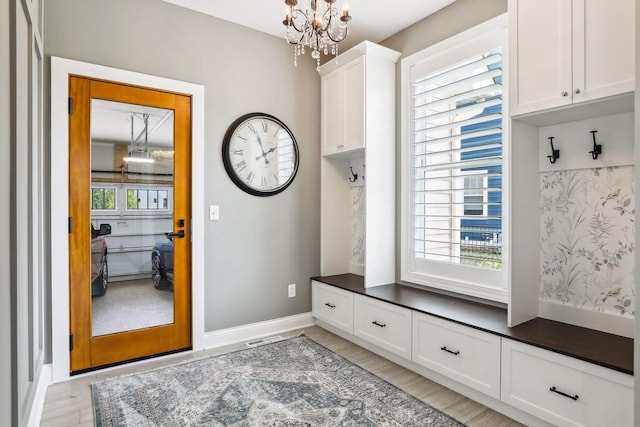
(260, 245)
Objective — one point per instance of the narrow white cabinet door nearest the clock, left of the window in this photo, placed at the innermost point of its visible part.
(333, 112)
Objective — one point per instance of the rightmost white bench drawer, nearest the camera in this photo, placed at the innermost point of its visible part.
(563, 390)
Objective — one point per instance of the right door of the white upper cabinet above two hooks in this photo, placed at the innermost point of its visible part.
(603, 48)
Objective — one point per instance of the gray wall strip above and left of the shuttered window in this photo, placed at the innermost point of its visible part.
(447, 22)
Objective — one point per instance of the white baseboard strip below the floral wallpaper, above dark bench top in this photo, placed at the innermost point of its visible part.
(605, 322)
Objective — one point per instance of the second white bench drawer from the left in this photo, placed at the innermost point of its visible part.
(385, 325)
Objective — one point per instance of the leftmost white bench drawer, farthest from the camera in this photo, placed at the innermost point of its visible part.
(333, 305)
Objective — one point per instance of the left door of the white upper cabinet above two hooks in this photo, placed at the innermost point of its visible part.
(540, 54)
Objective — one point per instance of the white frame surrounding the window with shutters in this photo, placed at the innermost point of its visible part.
(467, 280)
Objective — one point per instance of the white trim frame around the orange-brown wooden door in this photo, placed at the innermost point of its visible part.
(61, 69)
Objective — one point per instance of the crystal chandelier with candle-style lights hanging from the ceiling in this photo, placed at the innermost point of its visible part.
(308, 26)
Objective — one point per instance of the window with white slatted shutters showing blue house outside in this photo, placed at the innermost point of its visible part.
(457, 160)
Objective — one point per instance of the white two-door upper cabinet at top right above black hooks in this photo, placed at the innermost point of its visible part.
(565, 52)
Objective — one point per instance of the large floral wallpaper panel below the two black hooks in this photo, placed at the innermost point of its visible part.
(587, 238)
